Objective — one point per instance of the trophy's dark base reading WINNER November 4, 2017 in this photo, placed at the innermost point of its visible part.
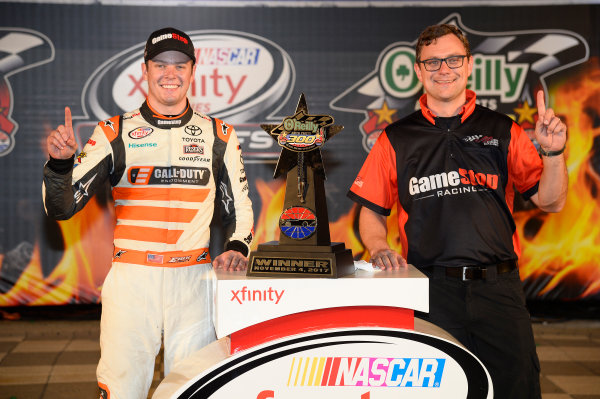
(313, 261)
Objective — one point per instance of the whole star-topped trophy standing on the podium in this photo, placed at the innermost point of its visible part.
(304, 248)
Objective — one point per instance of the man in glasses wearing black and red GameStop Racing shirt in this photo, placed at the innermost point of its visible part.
(450, 168)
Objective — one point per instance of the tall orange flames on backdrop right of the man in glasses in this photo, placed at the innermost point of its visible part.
(563, 255)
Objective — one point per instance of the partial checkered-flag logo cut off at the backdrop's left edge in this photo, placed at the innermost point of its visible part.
(20, 49)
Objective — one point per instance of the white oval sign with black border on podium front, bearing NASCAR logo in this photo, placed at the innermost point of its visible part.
(360, 363)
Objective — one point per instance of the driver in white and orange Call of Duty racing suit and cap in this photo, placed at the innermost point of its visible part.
(167, 165)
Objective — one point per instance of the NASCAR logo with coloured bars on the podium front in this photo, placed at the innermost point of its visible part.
(367, 372)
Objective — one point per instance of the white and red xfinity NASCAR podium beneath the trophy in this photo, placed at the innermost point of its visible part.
(351, 337)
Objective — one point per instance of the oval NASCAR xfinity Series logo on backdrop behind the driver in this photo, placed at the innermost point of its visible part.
(240, 78)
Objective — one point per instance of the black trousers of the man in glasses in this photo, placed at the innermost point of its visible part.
(490, 319)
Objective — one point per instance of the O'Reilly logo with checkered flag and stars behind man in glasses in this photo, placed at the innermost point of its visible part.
(508, 68)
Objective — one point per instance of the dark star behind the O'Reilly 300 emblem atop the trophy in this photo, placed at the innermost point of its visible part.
(288, 158)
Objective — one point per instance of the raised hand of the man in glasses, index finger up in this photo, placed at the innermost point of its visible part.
(550, 131)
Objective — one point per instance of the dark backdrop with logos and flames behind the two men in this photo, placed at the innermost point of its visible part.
(354, 63)
